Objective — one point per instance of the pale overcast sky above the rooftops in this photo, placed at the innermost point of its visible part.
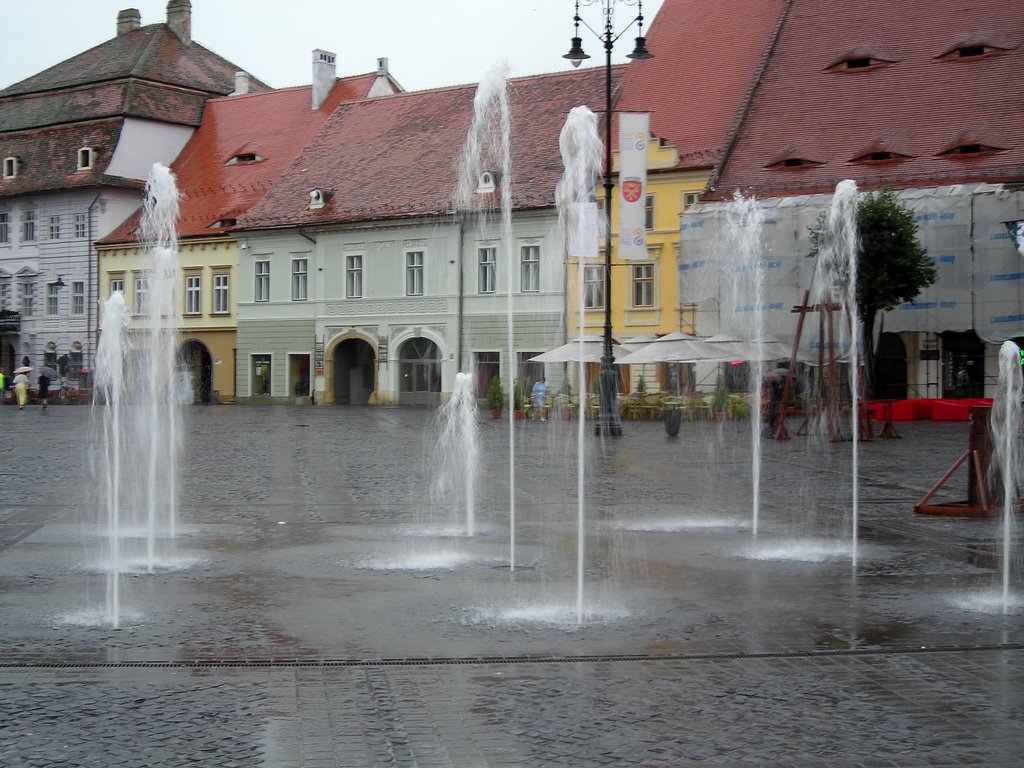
(429, 44)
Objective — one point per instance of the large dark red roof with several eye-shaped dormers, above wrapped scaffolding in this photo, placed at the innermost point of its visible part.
(914, 98)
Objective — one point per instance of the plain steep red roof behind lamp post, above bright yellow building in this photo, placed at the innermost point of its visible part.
(706, 58)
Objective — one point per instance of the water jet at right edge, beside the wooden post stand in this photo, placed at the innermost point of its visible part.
(1005, 426)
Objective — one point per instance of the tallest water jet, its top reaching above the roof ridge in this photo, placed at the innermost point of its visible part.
(489, 149)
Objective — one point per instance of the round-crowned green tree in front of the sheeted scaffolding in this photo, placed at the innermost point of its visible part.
(892, 266)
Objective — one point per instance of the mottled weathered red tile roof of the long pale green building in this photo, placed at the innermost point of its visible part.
(398, 156)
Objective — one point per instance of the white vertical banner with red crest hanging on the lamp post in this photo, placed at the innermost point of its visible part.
(633, 132)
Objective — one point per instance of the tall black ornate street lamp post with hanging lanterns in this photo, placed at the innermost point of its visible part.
(608, 416)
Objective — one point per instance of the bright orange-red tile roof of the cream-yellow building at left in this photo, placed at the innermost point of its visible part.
(274, 125)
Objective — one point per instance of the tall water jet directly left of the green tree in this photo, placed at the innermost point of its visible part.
(836, 279)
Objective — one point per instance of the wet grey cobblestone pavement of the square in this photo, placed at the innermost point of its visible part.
(320, 610)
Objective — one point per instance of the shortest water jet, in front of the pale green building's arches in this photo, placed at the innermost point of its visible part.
(459, 452)
